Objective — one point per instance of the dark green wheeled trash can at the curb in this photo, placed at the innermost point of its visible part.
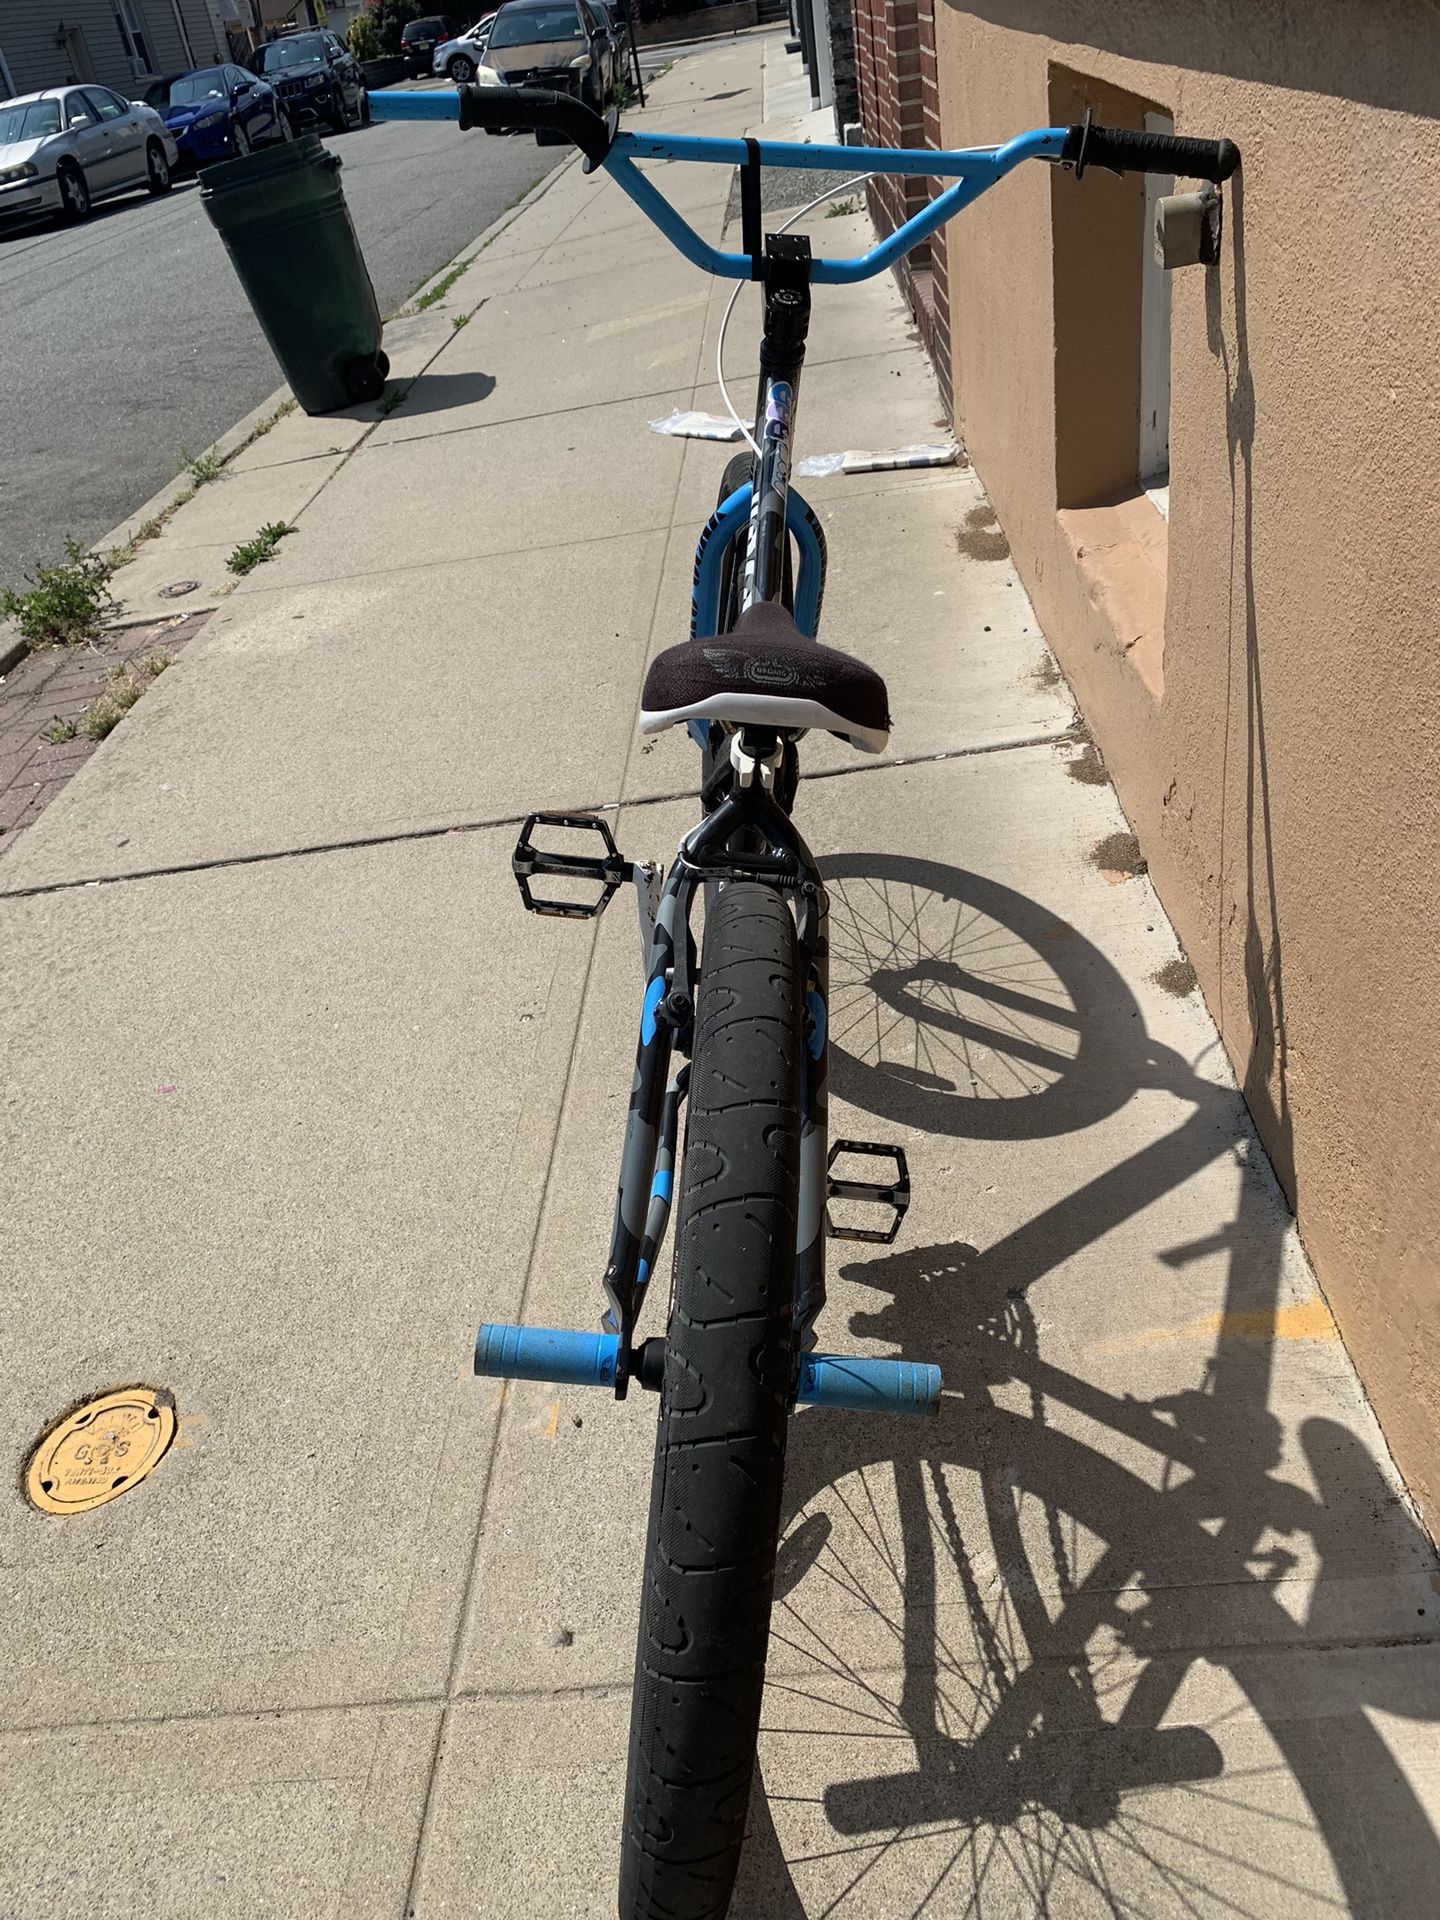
(287, 229)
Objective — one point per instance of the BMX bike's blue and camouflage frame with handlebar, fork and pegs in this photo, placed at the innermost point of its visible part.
(748, 836)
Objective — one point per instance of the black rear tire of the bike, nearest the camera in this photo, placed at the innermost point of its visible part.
(721, 1445)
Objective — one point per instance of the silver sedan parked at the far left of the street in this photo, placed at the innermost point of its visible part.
(68, 147)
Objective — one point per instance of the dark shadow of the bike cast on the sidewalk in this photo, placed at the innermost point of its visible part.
(1067, 1577)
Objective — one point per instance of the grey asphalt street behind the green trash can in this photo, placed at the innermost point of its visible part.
(128, 343)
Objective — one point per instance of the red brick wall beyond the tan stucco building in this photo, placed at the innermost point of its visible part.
(900, 107)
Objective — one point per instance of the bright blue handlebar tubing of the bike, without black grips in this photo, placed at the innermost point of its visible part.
(972, 170)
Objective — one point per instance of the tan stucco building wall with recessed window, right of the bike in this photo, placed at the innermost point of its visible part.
(1262, 673)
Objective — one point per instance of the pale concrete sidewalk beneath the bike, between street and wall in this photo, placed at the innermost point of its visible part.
(299, 1095)
